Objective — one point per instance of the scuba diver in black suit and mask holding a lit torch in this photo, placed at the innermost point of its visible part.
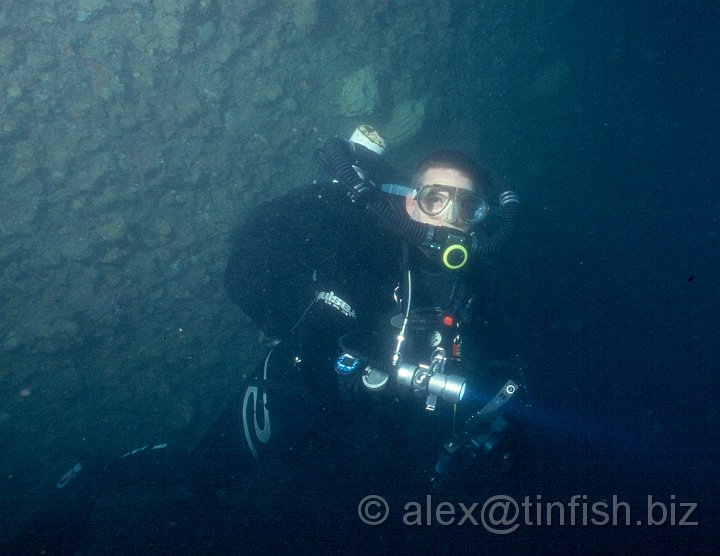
(364, 289)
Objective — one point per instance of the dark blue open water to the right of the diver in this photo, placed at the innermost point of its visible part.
(614, 278)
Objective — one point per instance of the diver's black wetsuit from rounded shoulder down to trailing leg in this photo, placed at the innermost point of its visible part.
(312, 271)
